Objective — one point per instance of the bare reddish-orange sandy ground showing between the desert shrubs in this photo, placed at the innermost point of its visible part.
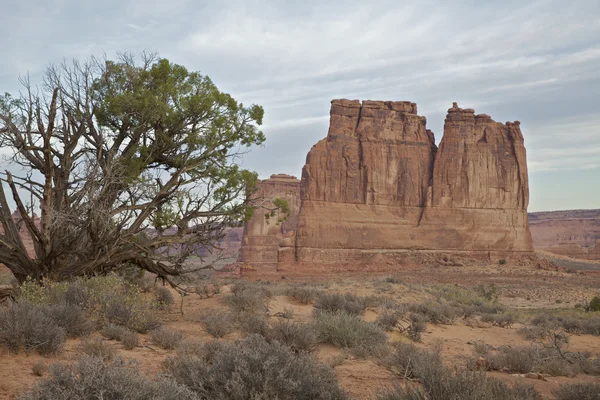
(520, 288)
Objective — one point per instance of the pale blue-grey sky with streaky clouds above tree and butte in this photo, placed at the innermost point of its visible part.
(533, 61)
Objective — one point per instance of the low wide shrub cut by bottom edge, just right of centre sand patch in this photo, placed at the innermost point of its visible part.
(462, 385)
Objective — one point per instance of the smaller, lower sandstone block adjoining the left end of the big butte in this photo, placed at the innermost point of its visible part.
(267, 241)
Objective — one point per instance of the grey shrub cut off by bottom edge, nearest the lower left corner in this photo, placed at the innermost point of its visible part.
(91, 378)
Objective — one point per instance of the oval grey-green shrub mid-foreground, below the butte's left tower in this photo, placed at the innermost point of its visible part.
(348, 330)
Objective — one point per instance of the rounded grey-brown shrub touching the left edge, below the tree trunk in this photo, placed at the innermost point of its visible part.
(25, 325)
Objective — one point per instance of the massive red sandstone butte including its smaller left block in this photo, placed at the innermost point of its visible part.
(378, 186)
